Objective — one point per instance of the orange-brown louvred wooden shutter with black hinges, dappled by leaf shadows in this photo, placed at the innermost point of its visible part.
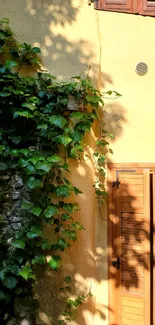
(129, 248)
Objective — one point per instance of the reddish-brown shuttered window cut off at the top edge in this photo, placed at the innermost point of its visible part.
(142, 7)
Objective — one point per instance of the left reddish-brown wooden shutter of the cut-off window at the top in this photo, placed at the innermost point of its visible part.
(129, 6)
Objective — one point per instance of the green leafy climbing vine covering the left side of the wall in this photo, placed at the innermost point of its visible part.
(42, 128)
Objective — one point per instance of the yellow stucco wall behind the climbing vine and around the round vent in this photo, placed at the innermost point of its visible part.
(73, 36)
